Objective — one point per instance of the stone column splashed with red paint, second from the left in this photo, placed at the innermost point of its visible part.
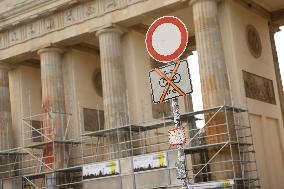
(53, 101)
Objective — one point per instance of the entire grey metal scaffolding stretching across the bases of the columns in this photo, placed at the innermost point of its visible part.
(221, 152)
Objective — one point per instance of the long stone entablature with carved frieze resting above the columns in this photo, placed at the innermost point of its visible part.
(75, 21)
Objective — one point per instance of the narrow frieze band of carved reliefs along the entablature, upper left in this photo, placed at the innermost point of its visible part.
(74, 15)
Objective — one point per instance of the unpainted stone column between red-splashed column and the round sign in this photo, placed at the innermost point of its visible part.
(114, 85)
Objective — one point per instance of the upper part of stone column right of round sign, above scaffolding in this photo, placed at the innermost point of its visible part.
(213, 72)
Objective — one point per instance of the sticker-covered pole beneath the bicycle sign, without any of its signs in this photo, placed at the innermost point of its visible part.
(181, 165)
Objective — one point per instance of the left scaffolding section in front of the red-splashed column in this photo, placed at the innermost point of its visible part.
(35, 161)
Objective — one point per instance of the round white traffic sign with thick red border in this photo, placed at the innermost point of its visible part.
(166, 39)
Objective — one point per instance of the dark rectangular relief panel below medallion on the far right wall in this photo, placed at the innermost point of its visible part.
(259, 88)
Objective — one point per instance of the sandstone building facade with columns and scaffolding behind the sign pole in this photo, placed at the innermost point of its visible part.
(74, 93)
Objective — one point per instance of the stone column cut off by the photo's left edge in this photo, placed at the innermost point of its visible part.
(5, 110)
